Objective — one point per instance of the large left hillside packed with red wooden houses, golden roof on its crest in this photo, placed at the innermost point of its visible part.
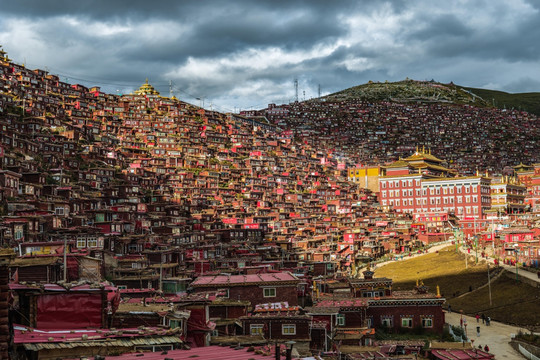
(83, 149)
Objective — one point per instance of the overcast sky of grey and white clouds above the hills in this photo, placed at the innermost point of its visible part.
(247, 53)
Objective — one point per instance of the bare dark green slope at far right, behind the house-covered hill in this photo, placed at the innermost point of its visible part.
(529, 102)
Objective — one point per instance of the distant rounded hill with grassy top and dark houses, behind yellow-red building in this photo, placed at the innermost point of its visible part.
(376, 123)
